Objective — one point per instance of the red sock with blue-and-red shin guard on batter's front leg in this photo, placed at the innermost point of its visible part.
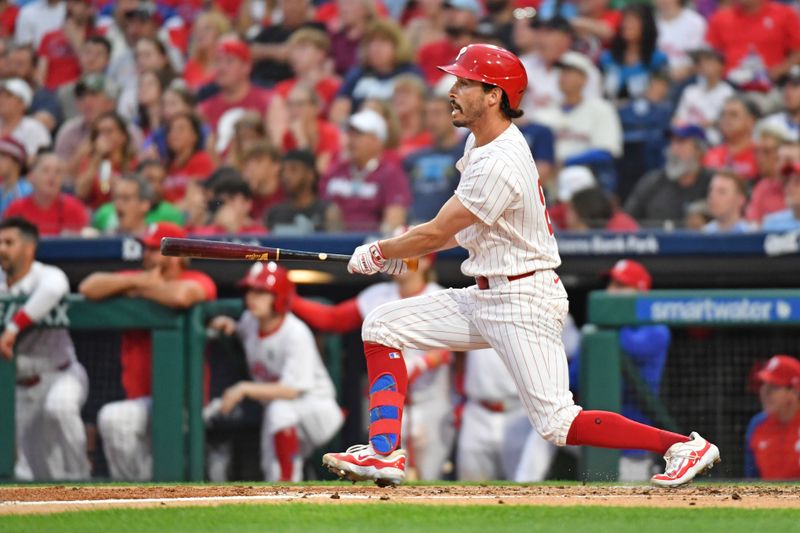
(388, 381)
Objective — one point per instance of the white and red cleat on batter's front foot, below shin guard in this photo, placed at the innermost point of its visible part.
(361, 463)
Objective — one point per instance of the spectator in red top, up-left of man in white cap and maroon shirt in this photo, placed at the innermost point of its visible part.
(308, 130)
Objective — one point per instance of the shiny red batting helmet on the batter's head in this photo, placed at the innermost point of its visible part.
(493, 65)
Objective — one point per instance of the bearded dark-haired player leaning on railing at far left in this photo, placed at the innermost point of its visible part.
(52, 386)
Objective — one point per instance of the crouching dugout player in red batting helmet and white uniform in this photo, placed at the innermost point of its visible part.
(288, 374)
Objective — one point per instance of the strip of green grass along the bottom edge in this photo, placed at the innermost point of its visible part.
(330, 518)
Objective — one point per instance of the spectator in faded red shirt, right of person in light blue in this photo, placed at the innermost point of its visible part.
(768, 195)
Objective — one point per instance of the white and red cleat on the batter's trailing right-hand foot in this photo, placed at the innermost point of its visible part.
(685, 460)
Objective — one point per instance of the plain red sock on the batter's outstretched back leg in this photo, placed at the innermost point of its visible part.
(610, 430)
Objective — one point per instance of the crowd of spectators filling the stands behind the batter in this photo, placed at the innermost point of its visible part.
(298, 116)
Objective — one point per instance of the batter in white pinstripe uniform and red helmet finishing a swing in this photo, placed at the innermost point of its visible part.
(517, 305)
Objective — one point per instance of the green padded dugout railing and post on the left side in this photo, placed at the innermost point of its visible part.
(178, 345)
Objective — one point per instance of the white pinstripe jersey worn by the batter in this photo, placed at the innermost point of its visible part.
(500, 185)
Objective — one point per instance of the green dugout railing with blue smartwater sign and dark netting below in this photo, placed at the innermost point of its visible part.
(731, 331)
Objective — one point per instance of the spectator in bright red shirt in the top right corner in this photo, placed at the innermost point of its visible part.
(769, 30)
